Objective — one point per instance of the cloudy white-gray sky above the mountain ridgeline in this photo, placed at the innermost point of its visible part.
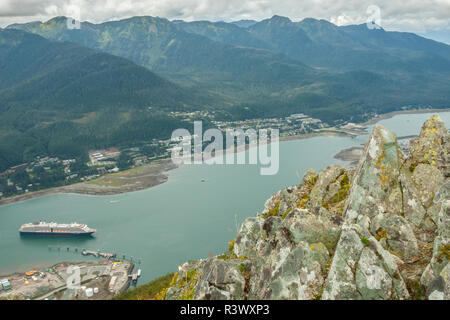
(430, 17)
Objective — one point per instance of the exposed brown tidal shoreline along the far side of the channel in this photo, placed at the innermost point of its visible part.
(158, 176)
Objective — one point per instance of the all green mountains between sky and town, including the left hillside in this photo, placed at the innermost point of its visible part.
(63, 91)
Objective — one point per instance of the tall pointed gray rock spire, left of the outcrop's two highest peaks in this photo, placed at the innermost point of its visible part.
(375, 195)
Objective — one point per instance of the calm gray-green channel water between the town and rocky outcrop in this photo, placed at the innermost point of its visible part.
(192, 215)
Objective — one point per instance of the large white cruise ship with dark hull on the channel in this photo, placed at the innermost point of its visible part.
(56, 229)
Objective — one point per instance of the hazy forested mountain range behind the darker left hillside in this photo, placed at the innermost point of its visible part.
(310, 66)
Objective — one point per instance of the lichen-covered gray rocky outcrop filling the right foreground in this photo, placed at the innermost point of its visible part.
(380, 231)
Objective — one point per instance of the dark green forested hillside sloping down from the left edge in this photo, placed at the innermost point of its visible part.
(61, 99)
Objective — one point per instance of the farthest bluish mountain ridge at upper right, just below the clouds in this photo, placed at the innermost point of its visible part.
(320, 43)
